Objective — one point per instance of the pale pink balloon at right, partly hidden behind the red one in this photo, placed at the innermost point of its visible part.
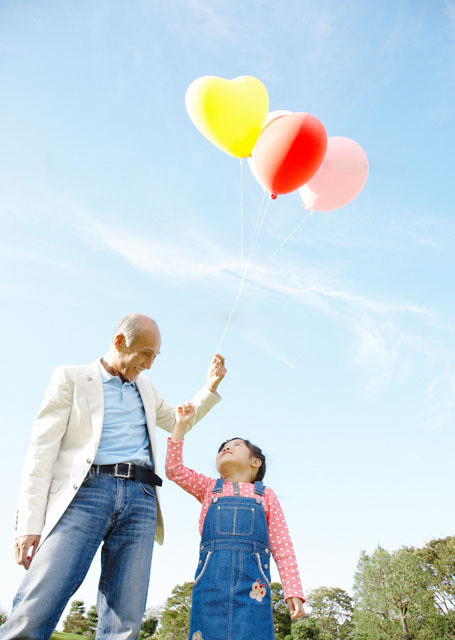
(340, 179)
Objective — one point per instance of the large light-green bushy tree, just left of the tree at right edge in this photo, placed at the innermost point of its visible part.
(392, 597)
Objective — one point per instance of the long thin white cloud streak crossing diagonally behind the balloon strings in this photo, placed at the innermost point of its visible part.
(181, 258)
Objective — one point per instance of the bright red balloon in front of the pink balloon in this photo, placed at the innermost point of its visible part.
(289, 152)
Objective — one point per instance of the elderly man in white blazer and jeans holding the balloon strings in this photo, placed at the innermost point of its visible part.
(90, 477)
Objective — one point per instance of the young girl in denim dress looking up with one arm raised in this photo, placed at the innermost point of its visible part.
(241, 523)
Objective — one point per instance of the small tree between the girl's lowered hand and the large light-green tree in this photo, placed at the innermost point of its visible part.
(332, 607)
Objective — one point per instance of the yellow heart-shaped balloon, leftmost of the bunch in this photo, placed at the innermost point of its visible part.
(230, 113)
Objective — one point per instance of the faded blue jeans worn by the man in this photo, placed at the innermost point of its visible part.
(117, 512)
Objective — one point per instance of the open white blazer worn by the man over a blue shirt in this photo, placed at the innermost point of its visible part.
(65, 439)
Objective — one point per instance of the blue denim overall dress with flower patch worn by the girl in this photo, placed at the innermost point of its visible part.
(231, 592)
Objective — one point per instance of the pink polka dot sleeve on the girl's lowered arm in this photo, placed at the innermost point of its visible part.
(282, 549)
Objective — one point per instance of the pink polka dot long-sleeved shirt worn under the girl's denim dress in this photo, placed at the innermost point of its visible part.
(201, 486)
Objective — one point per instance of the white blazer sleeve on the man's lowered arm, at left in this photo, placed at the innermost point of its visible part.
(47, 433)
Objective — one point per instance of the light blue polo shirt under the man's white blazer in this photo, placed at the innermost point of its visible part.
(124, 437)
